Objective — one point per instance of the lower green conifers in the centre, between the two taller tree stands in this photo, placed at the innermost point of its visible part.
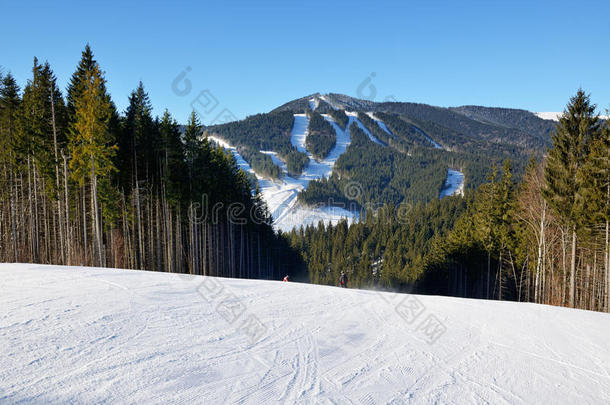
(387, 248)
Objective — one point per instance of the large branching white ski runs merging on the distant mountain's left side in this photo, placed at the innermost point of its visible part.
(281, 195)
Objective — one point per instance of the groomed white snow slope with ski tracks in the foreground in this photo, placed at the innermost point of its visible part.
(87, 335)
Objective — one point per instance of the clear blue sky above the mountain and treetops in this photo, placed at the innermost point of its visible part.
(254, 56)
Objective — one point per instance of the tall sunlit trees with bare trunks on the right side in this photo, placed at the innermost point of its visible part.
(544, 240)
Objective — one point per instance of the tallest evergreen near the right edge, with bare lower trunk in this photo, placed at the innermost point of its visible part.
(577, 128)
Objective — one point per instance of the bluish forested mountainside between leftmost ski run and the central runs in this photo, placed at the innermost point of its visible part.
(266, 132)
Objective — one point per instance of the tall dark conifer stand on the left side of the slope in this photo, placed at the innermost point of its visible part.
(81, 184)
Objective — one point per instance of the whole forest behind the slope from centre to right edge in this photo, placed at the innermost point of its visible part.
(543, 238)
